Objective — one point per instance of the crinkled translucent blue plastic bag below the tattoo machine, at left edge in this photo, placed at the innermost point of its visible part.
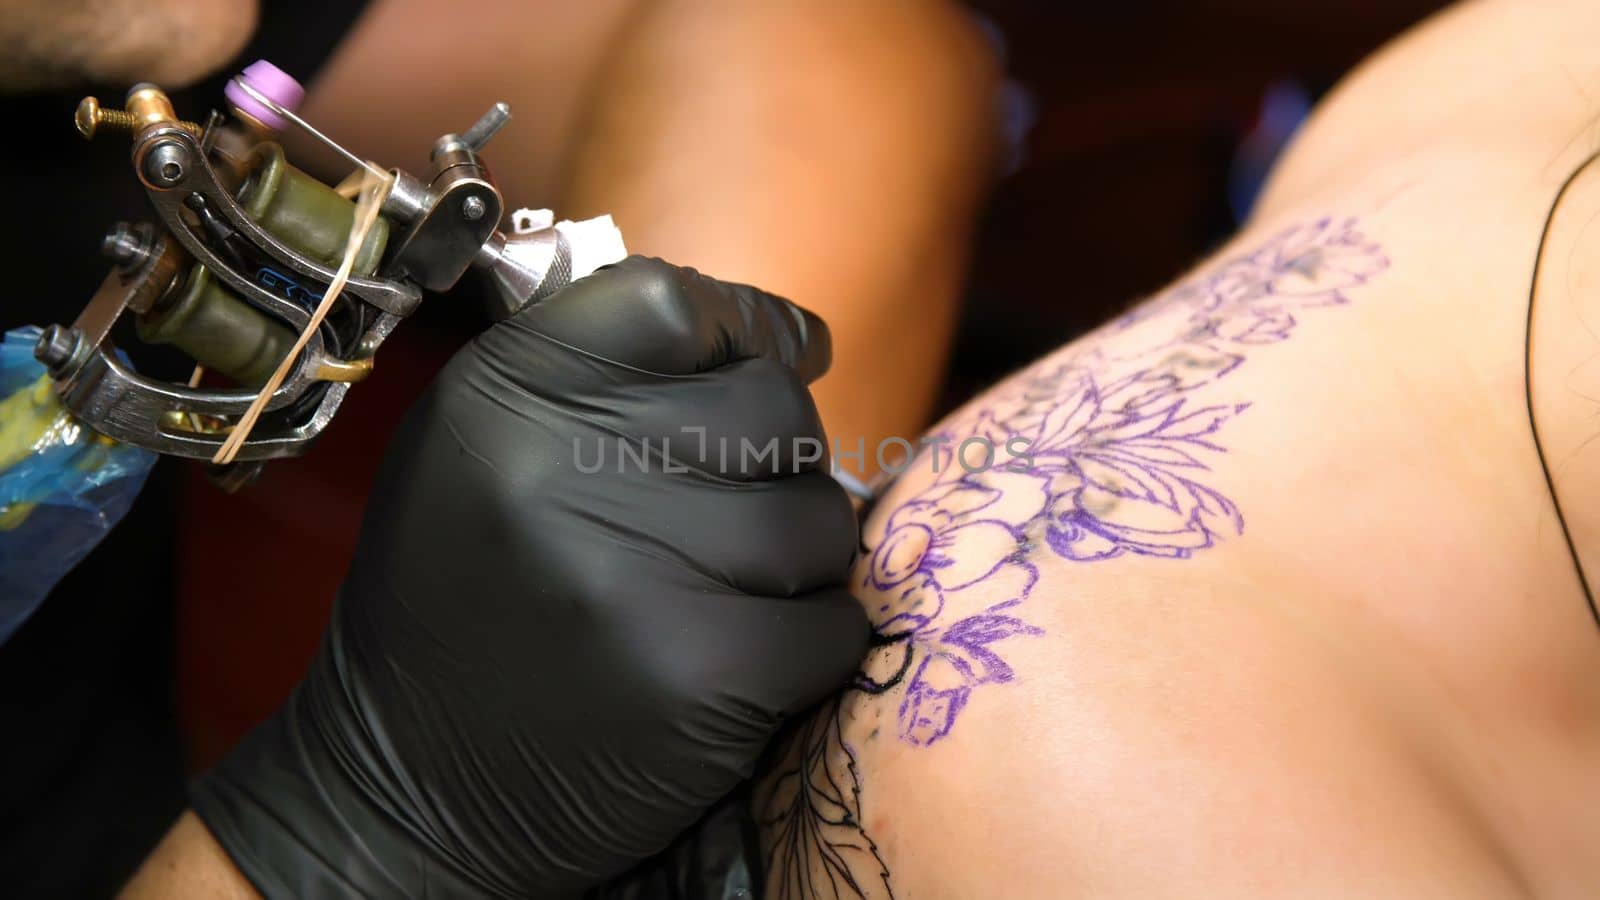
(63, 488)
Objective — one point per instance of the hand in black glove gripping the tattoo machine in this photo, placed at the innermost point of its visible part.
(548, 662)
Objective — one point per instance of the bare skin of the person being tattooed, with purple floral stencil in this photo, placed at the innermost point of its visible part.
(1281, 605)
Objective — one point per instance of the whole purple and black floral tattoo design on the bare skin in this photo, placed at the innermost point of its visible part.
(1100, 451)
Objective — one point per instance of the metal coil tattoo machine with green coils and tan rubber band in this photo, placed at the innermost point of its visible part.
(246, 252)
